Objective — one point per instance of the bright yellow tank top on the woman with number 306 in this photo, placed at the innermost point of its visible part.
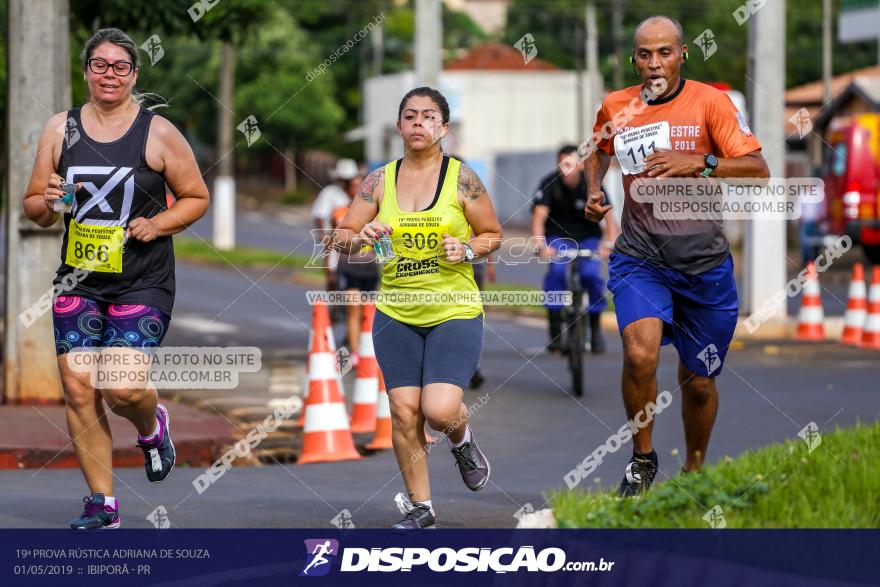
(420, 265)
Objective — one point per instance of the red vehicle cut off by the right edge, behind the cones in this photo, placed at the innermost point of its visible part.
(851, 171)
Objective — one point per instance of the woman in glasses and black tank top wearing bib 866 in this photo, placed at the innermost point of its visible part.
(114, 288)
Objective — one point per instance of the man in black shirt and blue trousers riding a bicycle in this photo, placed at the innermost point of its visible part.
(558, 222)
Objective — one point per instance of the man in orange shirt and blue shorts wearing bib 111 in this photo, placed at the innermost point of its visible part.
(672, 280)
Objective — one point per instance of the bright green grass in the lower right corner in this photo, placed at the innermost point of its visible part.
(781, 486)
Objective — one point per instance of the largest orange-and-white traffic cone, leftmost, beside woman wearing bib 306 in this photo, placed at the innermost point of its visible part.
(326, 435)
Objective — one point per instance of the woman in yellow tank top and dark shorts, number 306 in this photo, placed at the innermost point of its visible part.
(428, 330)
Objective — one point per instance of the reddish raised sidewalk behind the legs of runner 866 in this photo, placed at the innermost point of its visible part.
(35, 437)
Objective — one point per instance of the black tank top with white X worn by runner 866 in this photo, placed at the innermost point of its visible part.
(118, 186)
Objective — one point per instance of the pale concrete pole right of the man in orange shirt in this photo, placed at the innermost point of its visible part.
(765, 252)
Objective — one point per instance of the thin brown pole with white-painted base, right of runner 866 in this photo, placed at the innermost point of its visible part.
(224, 184)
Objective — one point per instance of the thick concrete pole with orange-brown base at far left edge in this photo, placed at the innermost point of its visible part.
(38, 88)
